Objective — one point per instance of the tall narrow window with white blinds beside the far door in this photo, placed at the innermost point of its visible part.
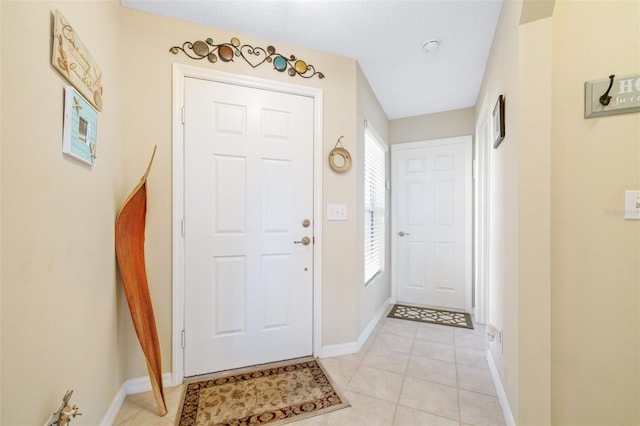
(374, 206)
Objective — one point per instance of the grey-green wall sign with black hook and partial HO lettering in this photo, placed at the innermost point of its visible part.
(613, 95)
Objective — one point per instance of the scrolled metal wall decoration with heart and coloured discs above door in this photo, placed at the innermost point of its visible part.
(254, 56)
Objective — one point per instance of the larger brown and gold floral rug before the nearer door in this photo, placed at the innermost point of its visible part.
(273, 396)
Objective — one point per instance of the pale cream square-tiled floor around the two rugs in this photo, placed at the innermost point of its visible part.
(407, 373)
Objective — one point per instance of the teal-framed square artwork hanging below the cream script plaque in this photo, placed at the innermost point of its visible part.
(80, 128)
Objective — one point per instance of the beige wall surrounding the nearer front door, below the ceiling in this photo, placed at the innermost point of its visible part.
(149, 38)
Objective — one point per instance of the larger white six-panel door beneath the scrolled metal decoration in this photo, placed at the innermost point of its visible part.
(248, 189)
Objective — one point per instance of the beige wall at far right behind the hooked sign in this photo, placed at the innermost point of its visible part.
(595, 270)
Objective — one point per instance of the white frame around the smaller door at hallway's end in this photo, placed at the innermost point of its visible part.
(467, 219)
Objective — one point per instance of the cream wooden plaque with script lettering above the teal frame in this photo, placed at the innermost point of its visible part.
(75, 63)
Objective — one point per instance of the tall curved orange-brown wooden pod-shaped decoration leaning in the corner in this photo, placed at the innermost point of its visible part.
(130, 230)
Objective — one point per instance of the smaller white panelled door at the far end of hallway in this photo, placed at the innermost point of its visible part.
(432, 222)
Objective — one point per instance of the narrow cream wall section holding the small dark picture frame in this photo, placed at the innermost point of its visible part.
(501, 77)
